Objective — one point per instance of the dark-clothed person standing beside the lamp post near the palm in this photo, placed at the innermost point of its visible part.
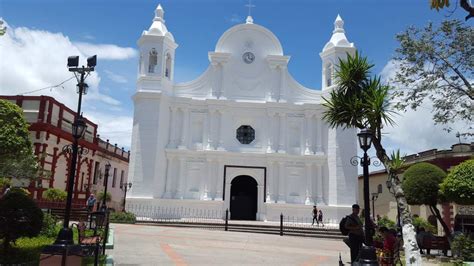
(356, 232)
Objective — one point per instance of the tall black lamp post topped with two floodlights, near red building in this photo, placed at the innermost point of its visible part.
(64, 242)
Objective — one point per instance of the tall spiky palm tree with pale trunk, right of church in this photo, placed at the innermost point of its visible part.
(361, 101)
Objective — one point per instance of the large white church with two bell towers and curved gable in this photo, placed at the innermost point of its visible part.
(244, 136)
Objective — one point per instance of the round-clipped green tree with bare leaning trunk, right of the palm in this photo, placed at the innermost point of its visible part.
(421, 185)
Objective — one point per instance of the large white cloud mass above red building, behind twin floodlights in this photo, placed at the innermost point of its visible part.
(32, 59)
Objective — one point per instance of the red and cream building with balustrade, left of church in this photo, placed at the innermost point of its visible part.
(50, 131)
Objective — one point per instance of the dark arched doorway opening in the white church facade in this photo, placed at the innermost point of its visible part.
(243, 198)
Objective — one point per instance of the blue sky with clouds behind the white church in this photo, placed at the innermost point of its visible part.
(302, 26)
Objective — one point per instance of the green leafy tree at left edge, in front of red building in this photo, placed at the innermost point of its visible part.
(16, 152)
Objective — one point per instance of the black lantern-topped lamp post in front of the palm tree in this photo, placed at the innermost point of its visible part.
(368, 253)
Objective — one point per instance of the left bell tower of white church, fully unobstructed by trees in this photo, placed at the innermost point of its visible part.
(157, 55)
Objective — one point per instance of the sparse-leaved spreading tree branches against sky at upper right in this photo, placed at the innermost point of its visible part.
(437, 64)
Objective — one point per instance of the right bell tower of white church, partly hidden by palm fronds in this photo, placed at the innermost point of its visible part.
(337, 48)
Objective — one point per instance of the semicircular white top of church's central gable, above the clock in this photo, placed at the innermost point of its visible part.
(250, 36)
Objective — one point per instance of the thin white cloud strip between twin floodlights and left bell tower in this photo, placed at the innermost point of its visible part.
(106, 51)
